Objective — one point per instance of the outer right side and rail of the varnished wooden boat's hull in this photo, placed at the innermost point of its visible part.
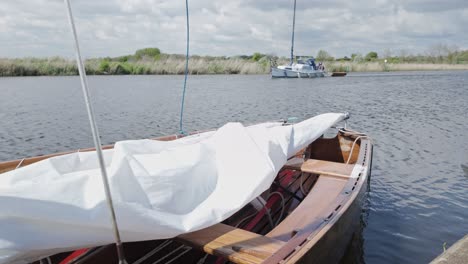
(328, 237)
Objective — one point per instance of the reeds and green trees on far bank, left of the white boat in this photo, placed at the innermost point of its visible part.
(144, 61)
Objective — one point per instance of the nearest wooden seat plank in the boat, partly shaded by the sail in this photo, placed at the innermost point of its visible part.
(235, 244)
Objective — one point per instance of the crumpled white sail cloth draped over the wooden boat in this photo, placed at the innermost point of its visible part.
(160, 189)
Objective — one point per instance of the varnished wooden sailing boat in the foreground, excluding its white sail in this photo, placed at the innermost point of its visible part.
(309, 215)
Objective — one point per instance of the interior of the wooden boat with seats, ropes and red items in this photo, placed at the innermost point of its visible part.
(307, 191)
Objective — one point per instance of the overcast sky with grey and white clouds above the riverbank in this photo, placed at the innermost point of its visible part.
(231, 27)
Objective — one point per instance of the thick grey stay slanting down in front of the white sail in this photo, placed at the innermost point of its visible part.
(95, 133)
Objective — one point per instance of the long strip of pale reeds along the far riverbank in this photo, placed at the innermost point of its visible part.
(175, 64)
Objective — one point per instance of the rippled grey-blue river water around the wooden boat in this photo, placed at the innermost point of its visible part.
(418, 195)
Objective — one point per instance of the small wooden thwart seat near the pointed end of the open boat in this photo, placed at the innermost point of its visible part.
(321, 167)
